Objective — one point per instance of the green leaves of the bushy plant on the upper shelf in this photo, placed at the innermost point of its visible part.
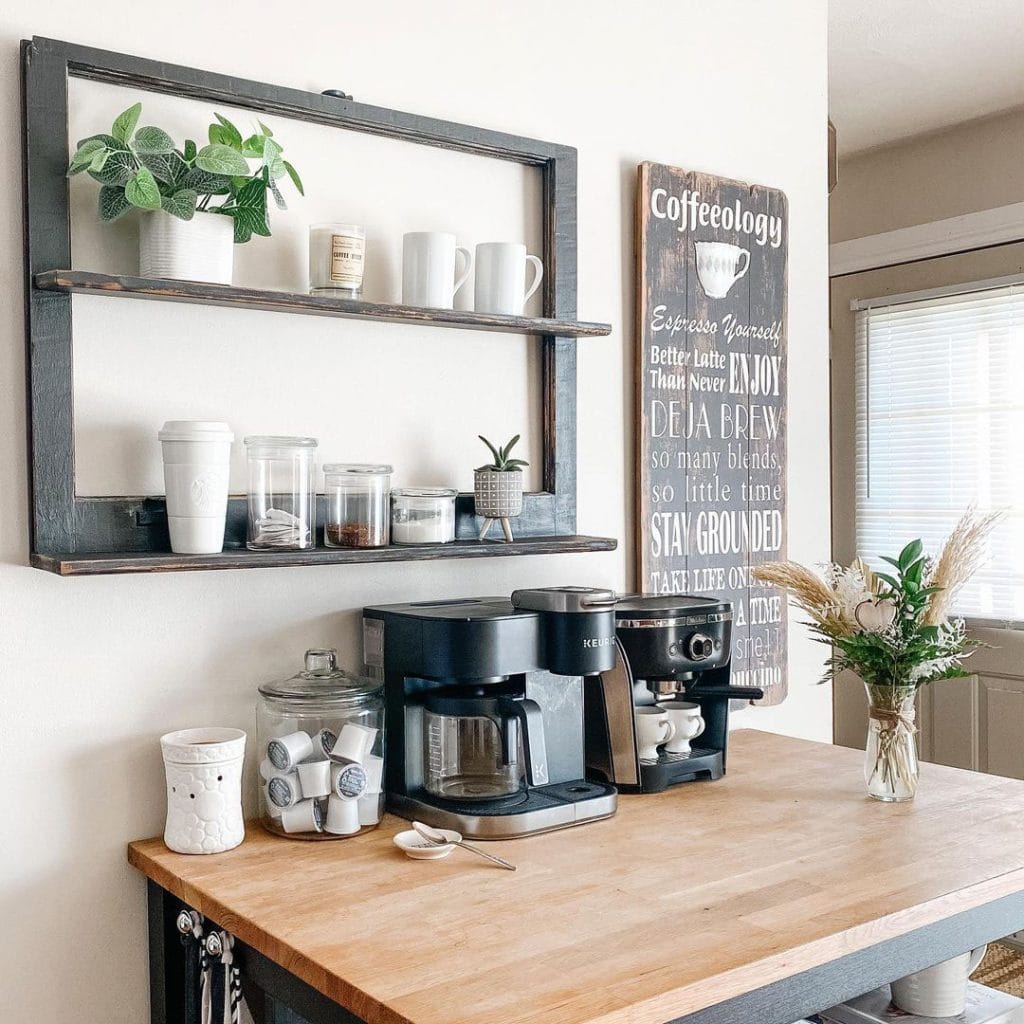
(142, 168)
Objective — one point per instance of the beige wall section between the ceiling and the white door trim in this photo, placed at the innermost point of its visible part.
(971, 167)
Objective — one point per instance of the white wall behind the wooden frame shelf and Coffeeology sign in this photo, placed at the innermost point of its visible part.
(93, 671)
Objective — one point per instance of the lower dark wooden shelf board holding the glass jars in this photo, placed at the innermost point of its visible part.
(108, 564)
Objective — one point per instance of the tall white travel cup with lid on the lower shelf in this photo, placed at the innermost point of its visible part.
(197, 462)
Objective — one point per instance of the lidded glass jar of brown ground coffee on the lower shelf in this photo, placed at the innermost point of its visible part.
(358, 505)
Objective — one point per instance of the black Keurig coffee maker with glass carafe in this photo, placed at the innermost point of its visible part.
(484, 705)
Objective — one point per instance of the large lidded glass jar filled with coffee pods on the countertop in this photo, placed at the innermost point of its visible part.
(321, 747)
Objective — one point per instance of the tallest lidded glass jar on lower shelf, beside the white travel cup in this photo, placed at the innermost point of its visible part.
(282, 493)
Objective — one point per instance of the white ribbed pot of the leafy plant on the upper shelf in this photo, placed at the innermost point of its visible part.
(201, 249)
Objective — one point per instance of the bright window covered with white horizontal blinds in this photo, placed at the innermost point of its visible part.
(941, 426)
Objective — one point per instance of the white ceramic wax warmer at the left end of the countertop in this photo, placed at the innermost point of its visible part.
(204, 790)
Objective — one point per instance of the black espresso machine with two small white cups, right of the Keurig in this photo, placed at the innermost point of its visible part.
(668, 649)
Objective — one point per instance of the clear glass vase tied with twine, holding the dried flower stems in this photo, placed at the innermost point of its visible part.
(891, 769)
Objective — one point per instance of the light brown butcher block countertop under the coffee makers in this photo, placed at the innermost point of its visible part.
(684, 901)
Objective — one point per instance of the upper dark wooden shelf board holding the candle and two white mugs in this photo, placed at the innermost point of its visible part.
(295, 303)
